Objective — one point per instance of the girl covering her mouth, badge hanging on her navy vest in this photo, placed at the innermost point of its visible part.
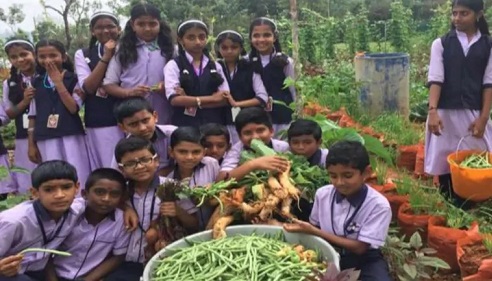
(55, 128)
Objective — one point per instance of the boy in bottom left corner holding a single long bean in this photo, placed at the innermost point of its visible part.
(42, 223)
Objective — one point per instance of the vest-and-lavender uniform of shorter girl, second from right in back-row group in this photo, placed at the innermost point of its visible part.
(244, 84)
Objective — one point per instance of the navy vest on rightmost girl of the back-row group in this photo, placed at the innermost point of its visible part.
(273, 78)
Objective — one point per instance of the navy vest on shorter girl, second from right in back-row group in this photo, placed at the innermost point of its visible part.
(241, 84)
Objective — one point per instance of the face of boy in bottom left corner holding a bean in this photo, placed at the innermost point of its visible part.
(56, 195)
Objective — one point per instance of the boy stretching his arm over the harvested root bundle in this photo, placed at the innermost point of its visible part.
(253, 123)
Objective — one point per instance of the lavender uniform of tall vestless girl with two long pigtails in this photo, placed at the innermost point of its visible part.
(147, 70)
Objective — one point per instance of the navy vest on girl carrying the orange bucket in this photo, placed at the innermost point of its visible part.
(463, 76)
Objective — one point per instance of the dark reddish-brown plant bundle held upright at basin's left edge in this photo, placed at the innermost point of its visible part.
(164, 230)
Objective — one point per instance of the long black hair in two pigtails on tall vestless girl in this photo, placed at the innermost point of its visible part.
(128, 43)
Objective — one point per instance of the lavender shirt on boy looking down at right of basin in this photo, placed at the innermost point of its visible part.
(364, 217)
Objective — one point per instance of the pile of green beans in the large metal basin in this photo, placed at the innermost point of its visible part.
(237, 258)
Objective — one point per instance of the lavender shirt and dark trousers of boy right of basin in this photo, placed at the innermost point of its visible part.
(365, 217)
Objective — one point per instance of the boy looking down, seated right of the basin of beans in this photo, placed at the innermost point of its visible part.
(350, 215)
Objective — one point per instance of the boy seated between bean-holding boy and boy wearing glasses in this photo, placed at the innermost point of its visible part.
(98, 243)
